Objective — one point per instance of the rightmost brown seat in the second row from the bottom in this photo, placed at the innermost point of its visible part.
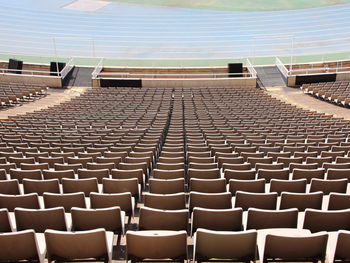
(317, 220)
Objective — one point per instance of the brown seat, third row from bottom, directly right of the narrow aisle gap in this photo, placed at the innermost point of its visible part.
(165, 201)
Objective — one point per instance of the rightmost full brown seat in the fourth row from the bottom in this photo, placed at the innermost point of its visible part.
(328, 186)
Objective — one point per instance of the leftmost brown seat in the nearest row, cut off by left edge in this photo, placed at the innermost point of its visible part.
(22, 245)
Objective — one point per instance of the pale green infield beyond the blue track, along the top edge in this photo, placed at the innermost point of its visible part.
(239, 5)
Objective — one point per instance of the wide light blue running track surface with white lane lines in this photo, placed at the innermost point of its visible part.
(127, 31)
